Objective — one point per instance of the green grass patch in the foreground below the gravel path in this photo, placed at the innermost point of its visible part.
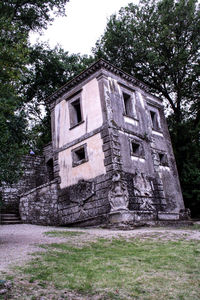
(120, 269)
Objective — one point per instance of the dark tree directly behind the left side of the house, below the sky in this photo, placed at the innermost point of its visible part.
(49, 70)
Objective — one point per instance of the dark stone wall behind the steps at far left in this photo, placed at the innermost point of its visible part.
(34, 174)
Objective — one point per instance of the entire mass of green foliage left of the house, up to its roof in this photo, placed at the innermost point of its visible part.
(27, 76)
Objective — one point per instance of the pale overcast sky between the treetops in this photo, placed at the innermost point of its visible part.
(84, 24)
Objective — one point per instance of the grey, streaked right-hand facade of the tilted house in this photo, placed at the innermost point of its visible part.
(152, 186)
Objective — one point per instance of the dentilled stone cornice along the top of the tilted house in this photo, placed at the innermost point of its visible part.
(100, 64)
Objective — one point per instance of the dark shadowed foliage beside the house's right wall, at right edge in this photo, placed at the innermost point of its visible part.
(187, 153)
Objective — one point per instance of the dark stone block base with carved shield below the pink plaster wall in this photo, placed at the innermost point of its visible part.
(85, 203)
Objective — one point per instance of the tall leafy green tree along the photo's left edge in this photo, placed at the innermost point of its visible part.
(17, 19)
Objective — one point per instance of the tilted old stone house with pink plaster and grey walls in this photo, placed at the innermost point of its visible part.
(111, 156)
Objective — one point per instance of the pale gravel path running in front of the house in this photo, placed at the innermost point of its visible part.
(17, 242)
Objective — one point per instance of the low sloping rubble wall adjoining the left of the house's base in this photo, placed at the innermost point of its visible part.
(40, 205)
